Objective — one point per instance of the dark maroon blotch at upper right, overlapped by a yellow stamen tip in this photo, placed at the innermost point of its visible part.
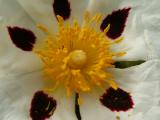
(117, 20)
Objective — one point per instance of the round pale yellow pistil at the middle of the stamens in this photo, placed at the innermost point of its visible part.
(77, 59)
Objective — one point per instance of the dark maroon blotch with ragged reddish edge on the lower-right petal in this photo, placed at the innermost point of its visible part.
(117, 100)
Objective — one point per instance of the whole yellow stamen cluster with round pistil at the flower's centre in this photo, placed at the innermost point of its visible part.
(77, 57)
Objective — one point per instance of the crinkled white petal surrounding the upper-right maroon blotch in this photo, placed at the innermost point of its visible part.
(144, 15)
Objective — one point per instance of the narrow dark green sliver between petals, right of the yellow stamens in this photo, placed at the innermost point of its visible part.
(126, 64)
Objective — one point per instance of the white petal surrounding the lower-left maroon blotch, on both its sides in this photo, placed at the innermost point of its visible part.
(16, 93)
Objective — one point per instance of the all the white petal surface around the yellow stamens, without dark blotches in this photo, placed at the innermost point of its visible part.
(21, 72)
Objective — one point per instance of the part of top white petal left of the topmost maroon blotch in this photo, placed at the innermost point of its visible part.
(41, 11)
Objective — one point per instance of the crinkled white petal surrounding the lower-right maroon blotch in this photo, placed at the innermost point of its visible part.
(143, 83)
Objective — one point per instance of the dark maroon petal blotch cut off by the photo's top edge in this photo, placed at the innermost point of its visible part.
(62, 8)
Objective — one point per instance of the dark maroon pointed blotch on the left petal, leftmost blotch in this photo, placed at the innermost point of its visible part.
(22, 38)
